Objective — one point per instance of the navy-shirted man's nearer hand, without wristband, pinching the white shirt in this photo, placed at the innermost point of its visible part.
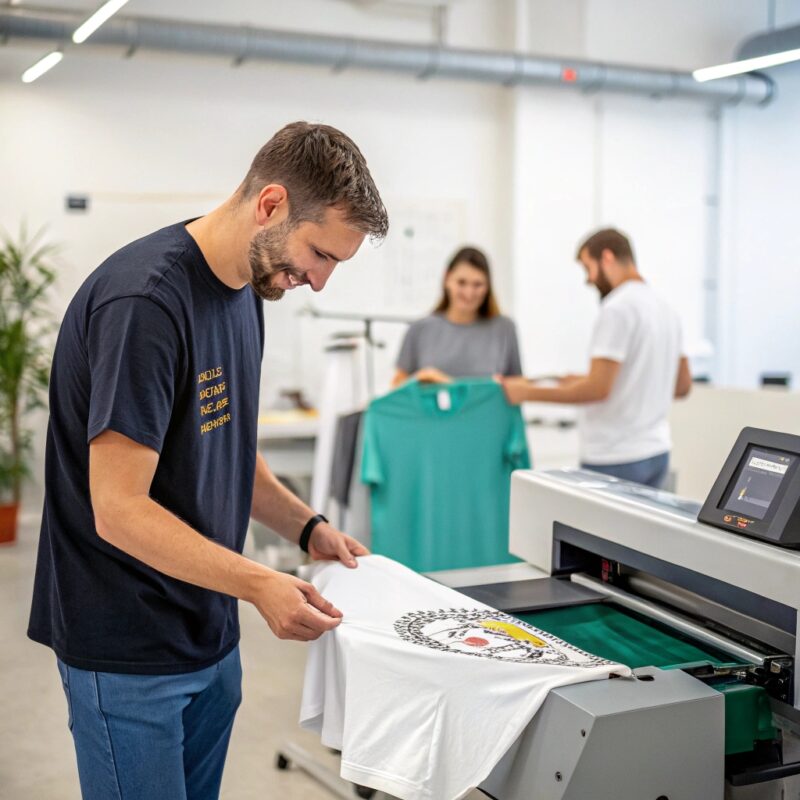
(294, 609)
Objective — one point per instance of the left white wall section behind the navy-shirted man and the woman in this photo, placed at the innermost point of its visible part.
(154, 139)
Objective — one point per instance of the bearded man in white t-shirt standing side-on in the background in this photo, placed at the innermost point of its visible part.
(637, 367)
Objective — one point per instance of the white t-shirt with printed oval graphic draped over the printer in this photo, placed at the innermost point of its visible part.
(423, 689)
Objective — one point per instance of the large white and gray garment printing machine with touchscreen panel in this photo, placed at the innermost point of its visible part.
(702, 603)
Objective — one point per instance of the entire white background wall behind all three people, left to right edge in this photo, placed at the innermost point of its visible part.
(524, 172)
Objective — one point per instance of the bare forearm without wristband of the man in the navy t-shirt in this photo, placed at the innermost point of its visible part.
(149, 532)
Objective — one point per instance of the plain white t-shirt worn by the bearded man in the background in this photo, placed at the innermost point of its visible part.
(638, 329)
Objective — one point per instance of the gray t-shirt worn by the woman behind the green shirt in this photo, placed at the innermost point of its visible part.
(481, 348)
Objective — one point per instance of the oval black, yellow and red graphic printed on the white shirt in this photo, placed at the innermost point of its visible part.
(491, 634)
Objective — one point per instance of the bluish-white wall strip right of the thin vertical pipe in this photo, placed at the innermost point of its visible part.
(759, 309)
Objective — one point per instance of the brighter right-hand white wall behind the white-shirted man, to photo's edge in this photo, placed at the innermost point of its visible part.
(648, 167)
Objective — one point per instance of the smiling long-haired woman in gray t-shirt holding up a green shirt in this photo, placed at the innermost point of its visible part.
(466, 336)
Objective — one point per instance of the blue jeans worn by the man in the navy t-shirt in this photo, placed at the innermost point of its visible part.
(152, 737)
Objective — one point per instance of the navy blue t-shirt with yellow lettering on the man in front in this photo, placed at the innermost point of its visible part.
(155, 347)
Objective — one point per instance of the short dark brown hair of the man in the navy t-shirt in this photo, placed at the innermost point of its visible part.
(320, 167)
